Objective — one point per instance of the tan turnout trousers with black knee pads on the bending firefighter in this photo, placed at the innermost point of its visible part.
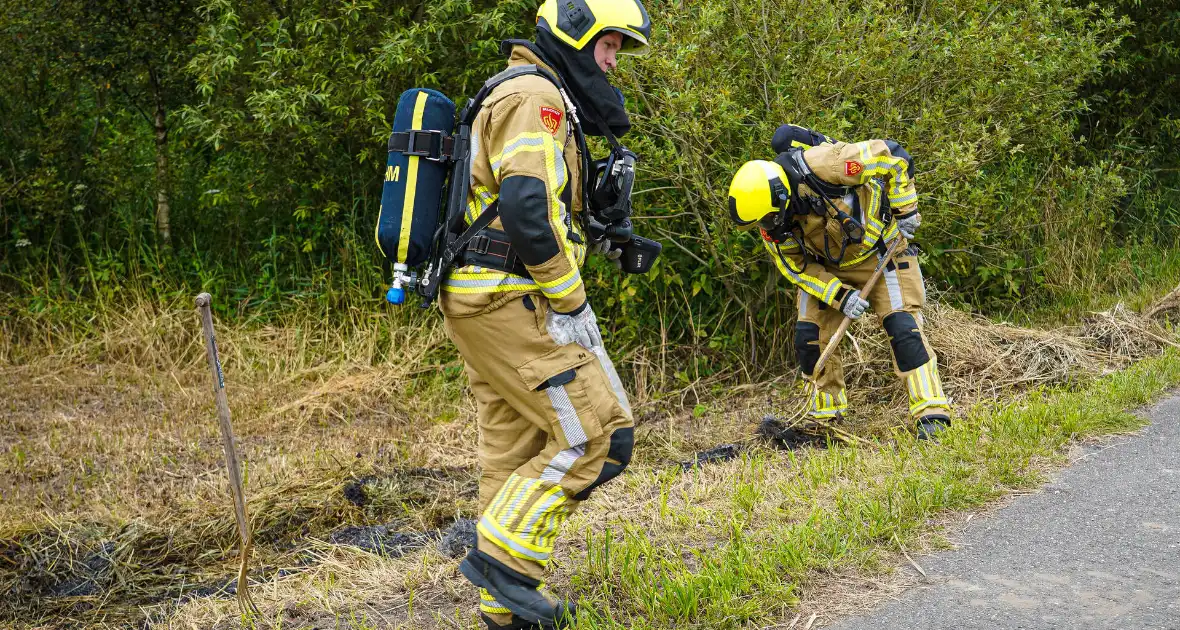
(897, 299)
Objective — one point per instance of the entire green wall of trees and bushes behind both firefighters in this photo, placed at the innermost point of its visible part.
(1032, 122)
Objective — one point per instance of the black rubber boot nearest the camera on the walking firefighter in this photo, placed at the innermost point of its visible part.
(515, 592)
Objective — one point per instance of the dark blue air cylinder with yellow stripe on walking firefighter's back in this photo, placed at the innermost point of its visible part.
(415, 182)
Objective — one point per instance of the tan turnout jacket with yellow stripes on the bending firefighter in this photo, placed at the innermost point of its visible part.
(875, 182)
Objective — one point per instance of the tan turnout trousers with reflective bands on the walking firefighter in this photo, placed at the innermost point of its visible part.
(554, 425)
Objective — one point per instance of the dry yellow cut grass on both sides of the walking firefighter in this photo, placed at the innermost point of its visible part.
(115, 501)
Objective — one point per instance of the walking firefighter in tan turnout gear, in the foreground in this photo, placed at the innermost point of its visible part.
(554, 421)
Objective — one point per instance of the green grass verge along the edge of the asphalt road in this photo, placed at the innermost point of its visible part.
(791, 520)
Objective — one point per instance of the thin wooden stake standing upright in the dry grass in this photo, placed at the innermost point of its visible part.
(232, 463)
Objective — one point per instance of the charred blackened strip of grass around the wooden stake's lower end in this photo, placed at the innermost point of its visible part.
(75, 572)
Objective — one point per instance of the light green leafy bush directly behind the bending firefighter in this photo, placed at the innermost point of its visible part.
(992, 134)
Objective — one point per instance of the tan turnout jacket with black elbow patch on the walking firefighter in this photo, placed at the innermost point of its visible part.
(526, 156)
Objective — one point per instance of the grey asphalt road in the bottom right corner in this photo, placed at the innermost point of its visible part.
(1097, 548)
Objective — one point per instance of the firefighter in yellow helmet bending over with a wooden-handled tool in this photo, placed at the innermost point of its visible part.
(827, 211)
